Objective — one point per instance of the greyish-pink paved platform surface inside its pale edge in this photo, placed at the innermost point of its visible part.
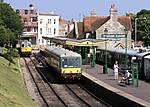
(142, 91)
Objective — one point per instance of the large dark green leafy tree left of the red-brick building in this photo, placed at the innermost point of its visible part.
(10, 25)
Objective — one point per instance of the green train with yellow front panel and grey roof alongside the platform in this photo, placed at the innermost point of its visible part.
(67, 63)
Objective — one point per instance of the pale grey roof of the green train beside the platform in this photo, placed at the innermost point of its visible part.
(62, 52)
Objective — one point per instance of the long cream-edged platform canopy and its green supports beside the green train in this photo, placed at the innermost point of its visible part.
(85, 47)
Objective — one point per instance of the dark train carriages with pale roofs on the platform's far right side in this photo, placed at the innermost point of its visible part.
(133, 57)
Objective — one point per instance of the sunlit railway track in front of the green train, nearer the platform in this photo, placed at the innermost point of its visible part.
(73, 95)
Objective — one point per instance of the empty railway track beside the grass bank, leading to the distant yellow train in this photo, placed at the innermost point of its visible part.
(46, 93)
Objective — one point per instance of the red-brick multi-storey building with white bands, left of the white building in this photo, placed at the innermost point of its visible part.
(29, 21)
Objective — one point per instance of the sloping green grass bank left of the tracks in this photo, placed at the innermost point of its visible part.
(12, 90)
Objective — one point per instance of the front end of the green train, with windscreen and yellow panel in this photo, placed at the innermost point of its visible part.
(71, 68)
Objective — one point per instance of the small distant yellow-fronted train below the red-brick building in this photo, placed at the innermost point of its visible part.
(26, 48)
